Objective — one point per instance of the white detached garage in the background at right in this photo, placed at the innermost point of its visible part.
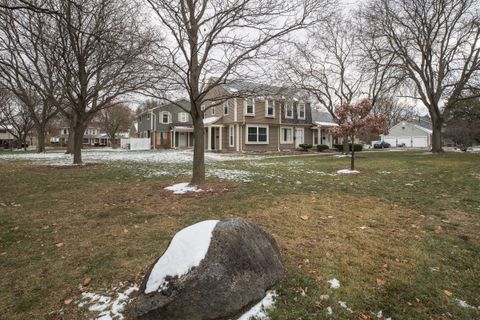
(410, 134)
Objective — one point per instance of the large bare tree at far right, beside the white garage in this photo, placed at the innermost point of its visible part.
(436, 48)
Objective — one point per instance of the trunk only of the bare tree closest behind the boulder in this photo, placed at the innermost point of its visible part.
(198, 177)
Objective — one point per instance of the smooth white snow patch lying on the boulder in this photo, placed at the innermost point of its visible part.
(186, 250)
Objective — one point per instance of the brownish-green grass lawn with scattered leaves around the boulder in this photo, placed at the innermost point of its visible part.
(402, 237)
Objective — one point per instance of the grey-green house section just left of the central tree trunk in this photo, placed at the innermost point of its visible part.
(168, 125)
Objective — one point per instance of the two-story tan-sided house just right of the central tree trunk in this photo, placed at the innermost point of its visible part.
(244, 116)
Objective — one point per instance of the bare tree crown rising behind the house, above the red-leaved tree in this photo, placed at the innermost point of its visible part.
(337, 65)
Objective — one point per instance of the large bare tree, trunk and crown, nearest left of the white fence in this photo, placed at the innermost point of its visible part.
(101, 53)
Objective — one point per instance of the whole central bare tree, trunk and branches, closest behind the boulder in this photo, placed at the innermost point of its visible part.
(215, 40)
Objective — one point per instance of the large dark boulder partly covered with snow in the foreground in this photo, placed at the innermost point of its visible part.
(210, 270)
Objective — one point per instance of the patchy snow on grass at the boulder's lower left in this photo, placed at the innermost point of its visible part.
(108, 307)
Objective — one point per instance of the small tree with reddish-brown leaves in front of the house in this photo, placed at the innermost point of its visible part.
(351, 118)
